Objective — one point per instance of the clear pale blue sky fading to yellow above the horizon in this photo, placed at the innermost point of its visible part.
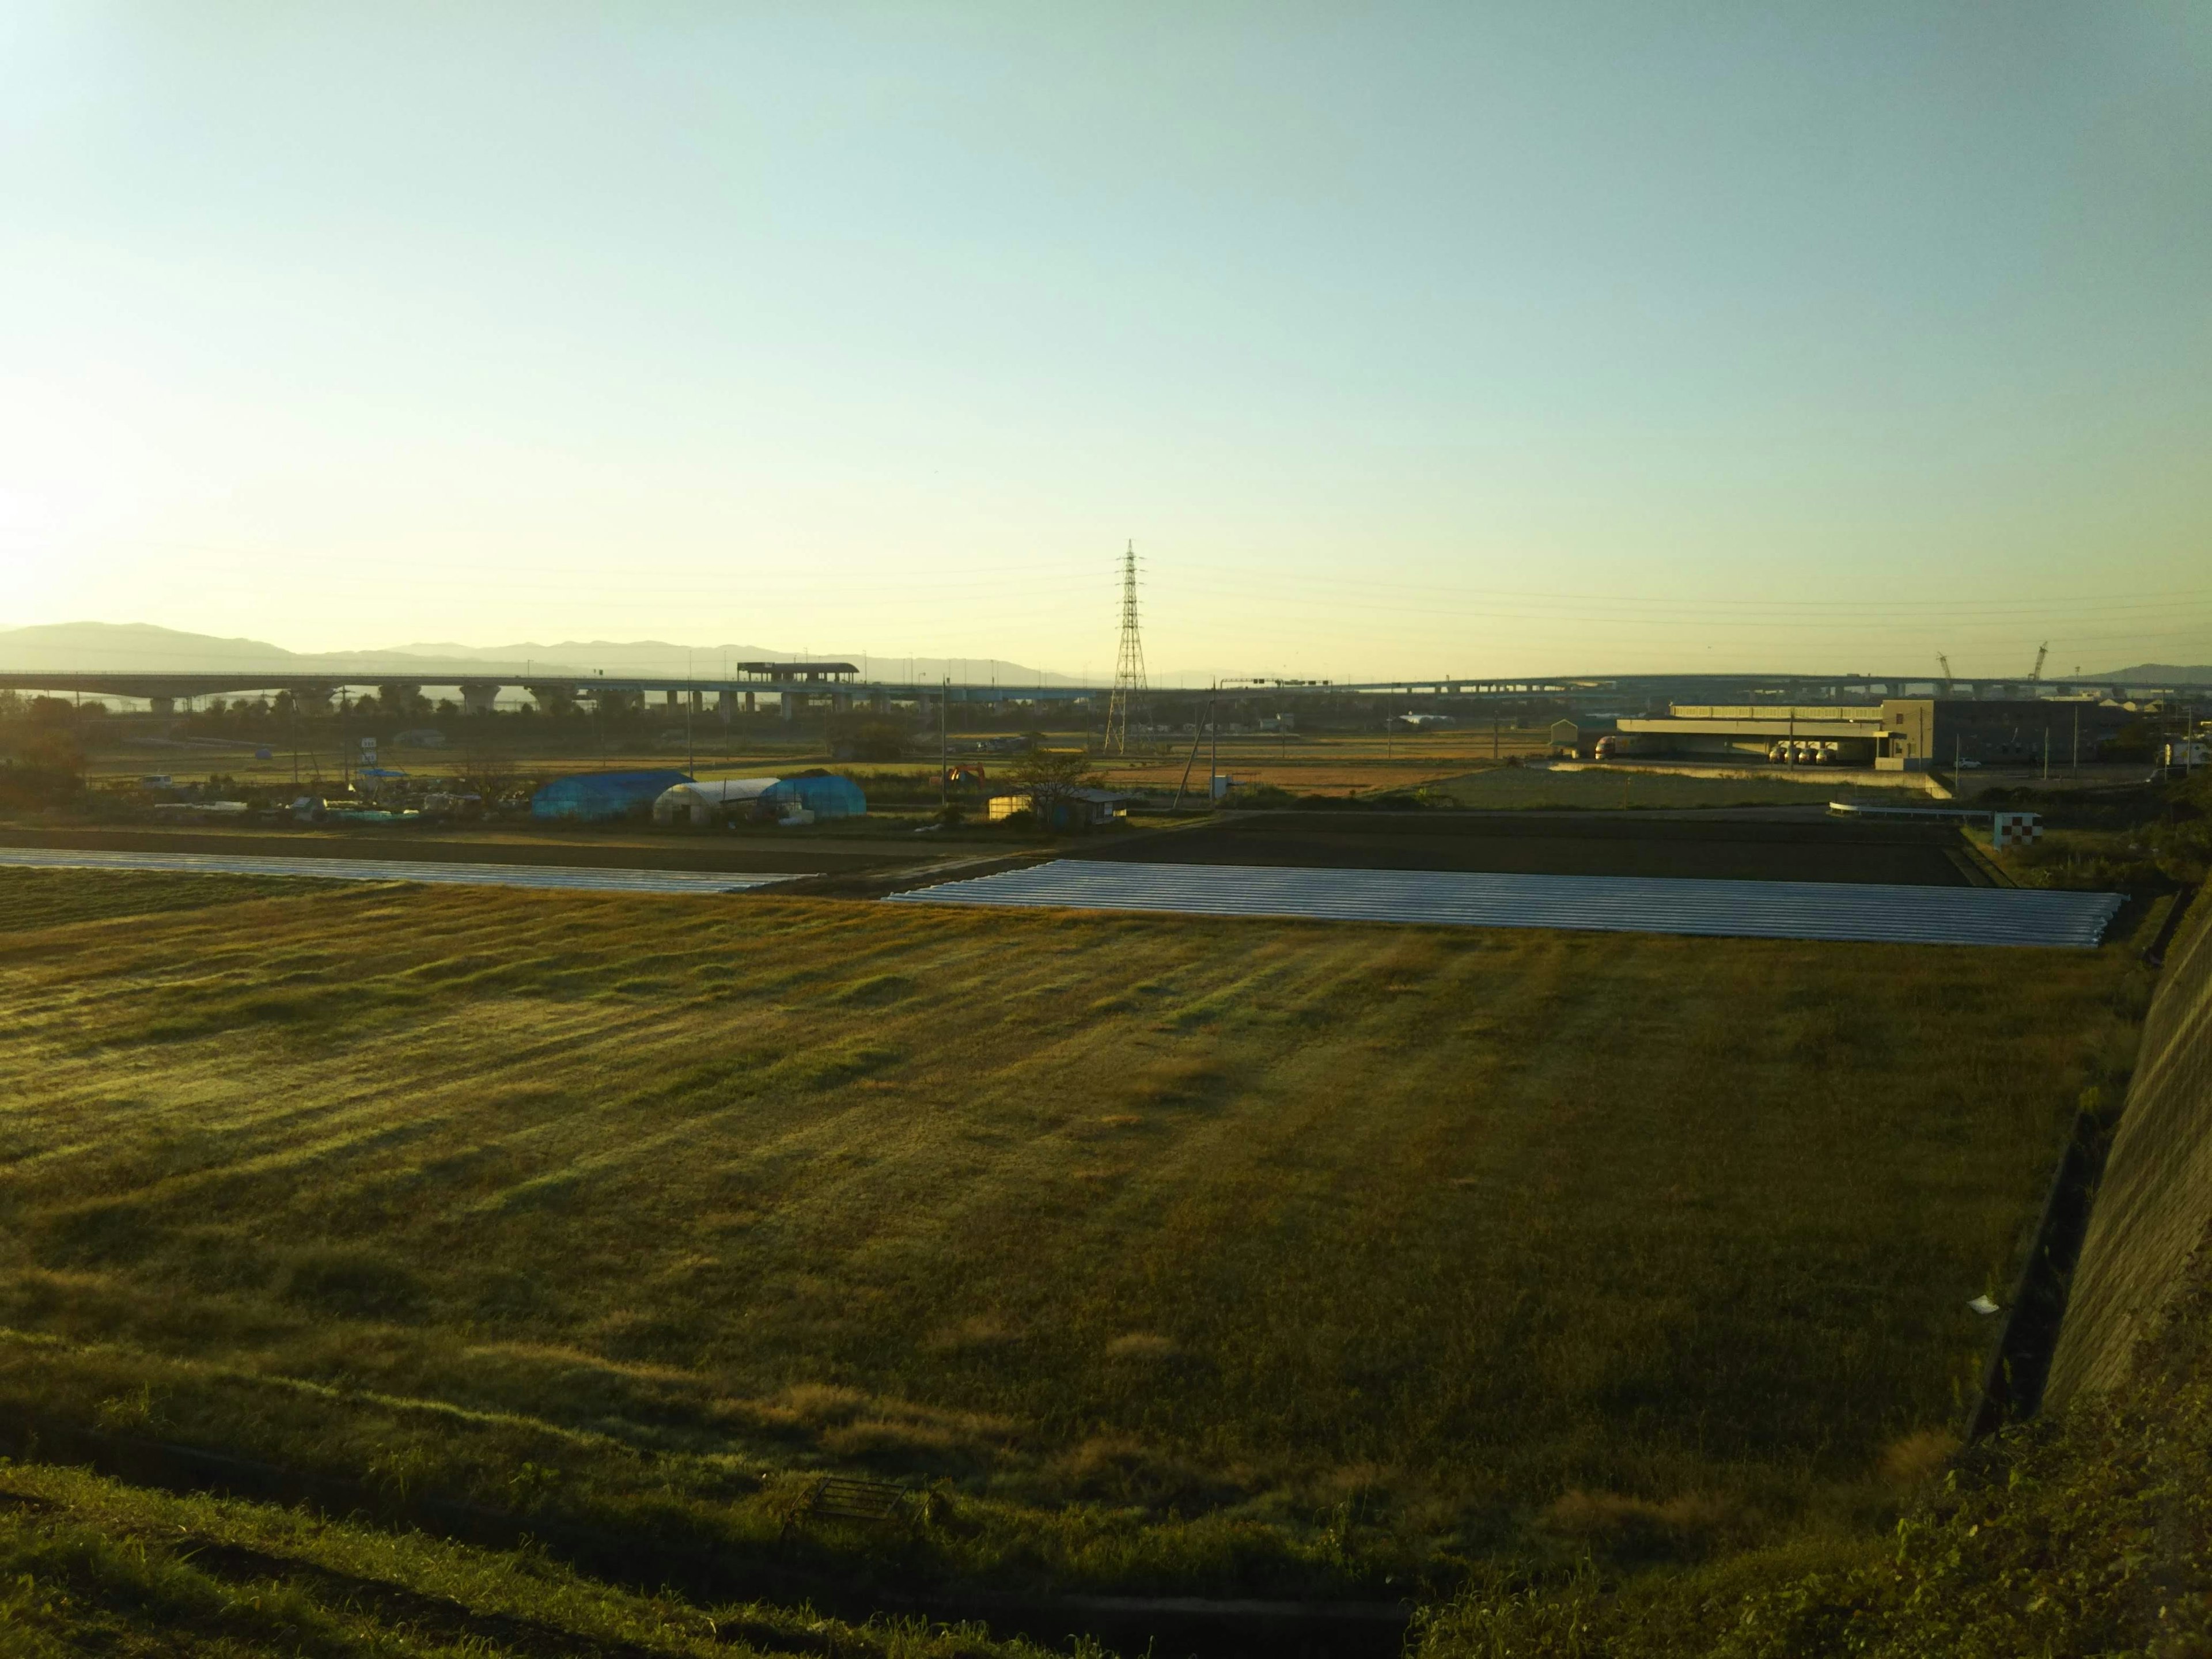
(1404, 340)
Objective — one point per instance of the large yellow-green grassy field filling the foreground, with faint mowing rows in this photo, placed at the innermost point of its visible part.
(1229, 1255)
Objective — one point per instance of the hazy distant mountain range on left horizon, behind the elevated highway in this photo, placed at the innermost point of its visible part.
(138, 647)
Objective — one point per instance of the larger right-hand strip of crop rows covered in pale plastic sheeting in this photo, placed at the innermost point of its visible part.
(1605, 904)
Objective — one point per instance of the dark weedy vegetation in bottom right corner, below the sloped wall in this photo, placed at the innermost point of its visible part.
(2080, 1534)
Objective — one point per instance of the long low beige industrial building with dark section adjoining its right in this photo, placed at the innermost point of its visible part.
(1895, 735)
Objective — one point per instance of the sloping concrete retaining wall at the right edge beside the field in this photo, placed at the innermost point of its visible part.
(2156, 1202)
